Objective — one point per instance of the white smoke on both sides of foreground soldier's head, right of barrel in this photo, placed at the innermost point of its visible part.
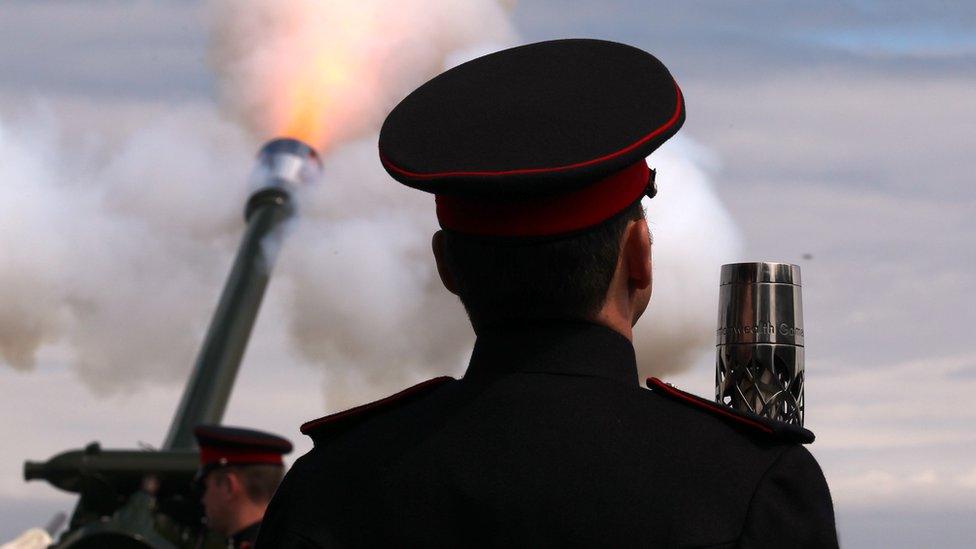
(369, 306)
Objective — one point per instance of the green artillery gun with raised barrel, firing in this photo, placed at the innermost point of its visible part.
(146, 498)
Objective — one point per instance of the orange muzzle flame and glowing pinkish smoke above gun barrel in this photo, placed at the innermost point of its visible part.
(326, 71)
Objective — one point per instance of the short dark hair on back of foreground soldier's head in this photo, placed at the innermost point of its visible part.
(499, 280)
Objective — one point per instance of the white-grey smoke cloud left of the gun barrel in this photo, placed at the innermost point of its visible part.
(116, 253)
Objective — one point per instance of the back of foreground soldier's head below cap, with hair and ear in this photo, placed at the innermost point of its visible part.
(576, 276)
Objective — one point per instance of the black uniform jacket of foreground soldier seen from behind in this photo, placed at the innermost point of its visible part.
(548, 440)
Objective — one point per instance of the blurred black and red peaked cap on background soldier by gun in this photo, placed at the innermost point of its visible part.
(221, 445)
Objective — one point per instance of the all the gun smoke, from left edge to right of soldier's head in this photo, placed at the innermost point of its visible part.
(118, 255)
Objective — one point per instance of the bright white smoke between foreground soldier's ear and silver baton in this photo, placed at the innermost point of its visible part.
(693, 236)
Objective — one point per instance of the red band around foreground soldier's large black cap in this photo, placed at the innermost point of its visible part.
(546, 215)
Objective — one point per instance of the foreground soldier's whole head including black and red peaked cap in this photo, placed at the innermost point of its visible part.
(536, 156)
